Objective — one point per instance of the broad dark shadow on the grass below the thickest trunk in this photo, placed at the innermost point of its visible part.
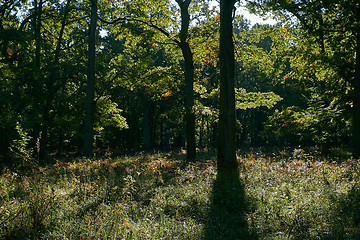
(227, 215)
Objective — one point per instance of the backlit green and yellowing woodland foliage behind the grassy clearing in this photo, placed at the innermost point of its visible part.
(293, 85)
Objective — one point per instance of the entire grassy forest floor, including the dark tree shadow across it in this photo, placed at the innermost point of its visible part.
(282, 194)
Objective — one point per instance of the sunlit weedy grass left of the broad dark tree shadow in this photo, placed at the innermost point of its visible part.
(140, 197)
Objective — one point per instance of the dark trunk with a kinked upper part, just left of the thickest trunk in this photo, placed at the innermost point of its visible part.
(189, 80)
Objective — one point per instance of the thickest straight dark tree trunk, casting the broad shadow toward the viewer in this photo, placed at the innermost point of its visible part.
(227, 119)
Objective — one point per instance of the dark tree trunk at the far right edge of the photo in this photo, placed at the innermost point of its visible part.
(356, 106)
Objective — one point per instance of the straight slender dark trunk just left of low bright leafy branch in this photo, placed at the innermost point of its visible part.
(90, 88)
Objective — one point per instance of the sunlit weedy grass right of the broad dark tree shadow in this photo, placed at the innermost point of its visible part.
(300, 197)
